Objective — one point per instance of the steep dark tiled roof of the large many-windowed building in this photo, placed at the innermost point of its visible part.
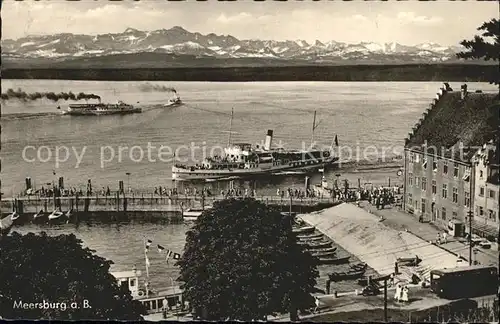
(451, 121)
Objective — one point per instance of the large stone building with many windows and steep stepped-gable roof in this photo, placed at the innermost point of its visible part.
(440, 173)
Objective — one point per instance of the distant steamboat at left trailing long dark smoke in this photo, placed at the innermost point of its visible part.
(98, 109)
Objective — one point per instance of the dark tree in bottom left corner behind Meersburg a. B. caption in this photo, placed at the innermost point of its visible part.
(47, 270)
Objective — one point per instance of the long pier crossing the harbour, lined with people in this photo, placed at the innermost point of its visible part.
(145, 206)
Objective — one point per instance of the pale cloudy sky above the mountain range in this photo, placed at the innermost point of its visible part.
(404, 22)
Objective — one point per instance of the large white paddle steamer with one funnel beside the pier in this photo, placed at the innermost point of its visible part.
(244, 160)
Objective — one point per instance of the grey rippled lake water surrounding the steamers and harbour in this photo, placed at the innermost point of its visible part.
(361, 114)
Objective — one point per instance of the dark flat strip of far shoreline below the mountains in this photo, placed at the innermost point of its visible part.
(355, 73)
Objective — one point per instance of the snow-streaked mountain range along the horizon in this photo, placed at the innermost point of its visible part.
(178, 42)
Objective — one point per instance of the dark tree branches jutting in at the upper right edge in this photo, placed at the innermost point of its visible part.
(482, 48)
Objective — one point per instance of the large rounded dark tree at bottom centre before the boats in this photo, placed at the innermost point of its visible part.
(242, 262)
